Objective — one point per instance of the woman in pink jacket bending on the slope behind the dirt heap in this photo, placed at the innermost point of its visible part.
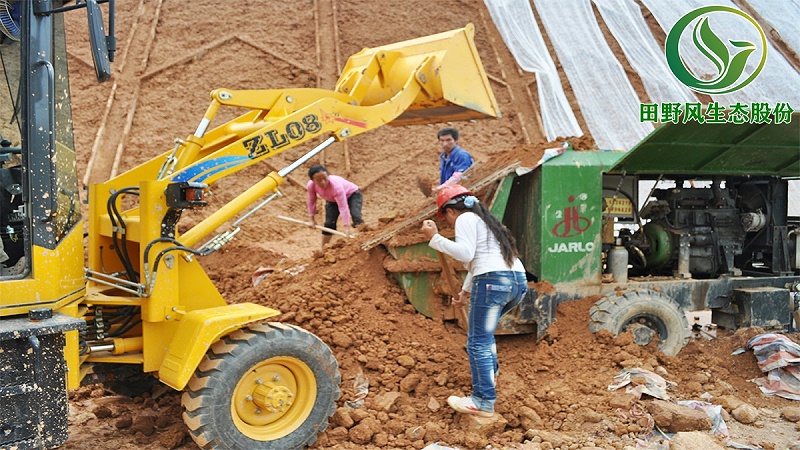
(341, 197)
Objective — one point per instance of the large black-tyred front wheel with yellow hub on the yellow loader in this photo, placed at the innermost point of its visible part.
(266, 387)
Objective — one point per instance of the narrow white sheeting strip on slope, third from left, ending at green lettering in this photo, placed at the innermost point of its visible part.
(624, 20)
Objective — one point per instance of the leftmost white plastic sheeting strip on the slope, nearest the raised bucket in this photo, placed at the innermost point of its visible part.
(517, 26)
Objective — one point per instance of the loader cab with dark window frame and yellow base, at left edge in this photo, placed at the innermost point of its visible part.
(41, 256)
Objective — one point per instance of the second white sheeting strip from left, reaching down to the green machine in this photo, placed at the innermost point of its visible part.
(607, 100)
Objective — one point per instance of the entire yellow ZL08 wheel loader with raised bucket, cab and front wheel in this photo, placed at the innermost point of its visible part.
(144, 304)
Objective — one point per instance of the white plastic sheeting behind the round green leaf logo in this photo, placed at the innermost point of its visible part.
(777, 82)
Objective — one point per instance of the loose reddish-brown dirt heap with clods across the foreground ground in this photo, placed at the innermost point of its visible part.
(398, 367)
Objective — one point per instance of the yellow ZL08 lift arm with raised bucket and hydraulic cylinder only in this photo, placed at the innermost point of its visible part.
(419, 81)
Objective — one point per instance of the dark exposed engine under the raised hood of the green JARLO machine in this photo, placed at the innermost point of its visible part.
(736, 225)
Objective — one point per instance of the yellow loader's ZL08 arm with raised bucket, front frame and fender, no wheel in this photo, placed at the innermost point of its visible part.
(432, 79)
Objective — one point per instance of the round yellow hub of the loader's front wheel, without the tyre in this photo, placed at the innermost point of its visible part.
(273, 398)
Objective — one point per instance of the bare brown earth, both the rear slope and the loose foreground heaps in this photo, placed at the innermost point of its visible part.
(552, 393)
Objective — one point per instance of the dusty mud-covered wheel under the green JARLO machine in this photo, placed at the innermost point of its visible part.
(646, 314)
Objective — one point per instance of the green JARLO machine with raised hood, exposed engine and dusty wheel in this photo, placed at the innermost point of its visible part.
(695, 217)
